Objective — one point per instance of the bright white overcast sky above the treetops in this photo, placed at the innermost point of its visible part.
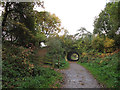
(75, 14)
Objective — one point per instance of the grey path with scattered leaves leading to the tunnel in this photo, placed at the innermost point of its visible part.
(78, 77)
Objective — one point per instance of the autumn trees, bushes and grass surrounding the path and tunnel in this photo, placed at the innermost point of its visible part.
(23, 30)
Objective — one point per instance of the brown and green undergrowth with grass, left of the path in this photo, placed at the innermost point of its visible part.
(19, 70)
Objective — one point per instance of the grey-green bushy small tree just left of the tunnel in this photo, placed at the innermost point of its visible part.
(55, 50)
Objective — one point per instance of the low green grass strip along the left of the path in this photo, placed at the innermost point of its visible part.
(44, 78)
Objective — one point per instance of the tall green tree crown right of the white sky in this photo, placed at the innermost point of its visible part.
(105, 22)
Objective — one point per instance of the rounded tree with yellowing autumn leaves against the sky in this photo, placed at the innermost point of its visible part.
(48, 23)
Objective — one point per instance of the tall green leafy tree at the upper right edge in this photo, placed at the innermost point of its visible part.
(107, 23)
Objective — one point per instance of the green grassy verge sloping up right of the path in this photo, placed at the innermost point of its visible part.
(105, 70)
